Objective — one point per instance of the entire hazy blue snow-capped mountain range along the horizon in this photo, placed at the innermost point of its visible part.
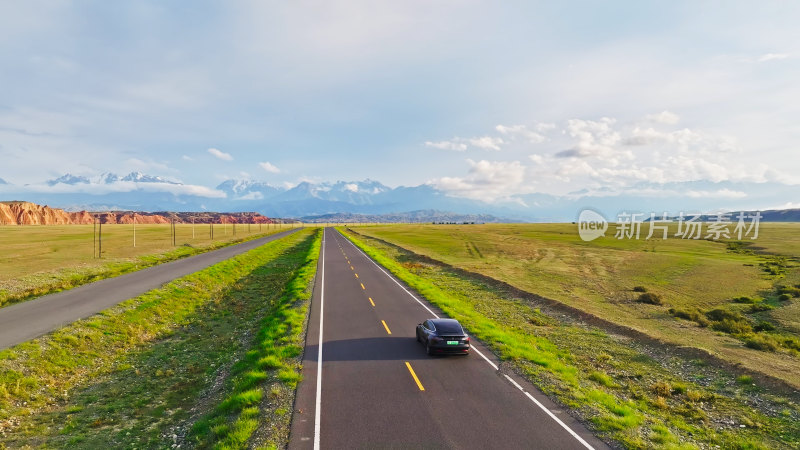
(142, 192)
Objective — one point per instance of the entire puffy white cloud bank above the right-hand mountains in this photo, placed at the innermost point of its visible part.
(613, 157)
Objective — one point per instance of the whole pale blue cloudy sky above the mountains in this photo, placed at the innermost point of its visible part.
(480, 99)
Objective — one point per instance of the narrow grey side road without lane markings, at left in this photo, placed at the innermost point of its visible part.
(27, 320)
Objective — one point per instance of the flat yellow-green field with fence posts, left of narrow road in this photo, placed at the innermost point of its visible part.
(35, 260)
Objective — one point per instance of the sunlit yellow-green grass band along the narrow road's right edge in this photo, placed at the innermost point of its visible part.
(42, 374)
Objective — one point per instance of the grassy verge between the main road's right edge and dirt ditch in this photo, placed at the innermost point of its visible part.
(636, 394)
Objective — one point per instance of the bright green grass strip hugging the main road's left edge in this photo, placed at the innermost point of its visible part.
(272, 363)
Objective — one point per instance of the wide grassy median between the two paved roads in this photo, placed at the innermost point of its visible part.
(143, 373)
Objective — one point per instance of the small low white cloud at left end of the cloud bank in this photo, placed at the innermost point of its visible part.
(486, 180)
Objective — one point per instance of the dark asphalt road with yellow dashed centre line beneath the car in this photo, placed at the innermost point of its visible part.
(378, 388)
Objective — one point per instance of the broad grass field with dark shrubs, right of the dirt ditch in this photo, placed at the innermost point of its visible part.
(691, 277)
